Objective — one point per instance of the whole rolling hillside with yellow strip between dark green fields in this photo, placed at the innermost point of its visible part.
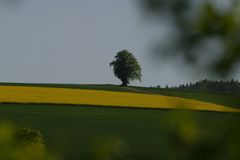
(76, 126)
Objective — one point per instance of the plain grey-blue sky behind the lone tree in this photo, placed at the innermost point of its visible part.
(73, 41)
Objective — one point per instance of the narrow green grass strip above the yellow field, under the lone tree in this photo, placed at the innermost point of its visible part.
(231, 100)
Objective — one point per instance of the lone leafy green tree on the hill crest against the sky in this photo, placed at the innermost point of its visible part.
(126, 67)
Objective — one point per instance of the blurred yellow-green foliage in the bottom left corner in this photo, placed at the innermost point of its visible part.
(22, 144)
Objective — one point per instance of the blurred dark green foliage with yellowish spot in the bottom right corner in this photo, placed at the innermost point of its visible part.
(188, 141)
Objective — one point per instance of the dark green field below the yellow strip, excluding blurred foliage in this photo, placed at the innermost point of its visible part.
(74, 131)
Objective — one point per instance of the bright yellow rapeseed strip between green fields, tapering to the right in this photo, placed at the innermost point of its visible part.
(16, 94)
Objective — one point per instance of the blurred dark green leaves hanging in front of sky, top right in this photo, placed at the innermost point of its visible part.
(205, 32)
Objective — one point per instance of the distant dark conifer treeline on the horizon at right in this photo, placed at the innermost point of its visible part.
(230, 86)
